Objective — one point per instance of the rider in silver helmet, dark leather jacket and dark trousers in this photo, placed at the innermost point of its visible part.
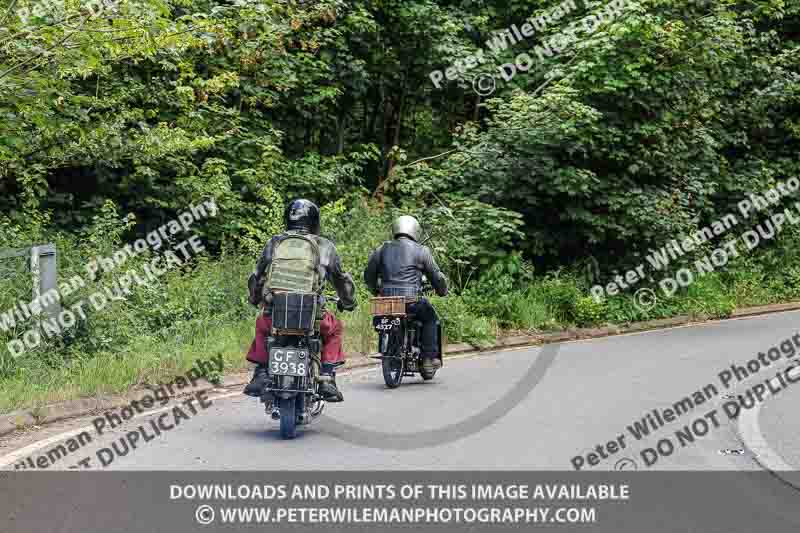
(400, 264)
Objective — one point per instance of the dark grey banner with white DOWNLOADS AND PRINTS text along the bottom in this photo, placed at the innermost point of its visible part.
(637, 502)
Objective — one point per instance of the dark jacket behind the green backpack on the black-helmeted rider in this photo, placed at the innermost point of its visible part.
(330, 270)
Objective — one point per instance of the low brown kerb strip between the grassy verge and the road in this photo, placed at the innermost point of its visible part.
(33, 417)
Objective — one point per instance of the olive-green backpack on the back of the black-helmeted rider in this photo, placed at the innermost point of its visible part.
(295, 265)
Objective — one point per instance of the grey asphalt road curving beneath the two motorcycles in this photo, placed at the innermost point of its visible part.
(586, 396)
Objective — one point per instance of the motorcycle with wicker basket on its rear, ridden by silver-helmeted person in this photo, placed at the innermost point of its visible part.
(399, 339)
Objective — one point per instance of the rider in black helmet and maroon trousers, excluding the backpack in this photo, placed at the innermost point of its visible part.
(302, 217)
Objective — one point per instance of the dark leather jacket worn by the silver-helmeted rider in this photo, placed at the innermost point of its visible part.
(400, 264)
